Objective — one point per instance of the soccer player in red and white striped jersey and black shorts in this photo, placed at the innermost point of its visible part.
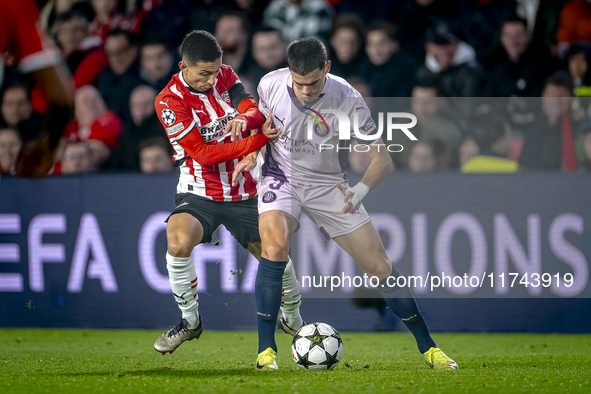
(207, 115)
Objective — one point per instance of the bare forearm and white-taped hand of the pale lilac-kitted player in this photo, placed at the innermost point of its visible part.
(380, 166)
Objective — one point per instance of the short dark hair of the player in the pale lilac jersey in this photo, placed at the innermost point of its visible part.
(306, 55)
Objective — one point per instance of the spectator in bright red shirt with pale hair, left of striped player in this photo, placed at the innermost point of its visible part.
(94, 124)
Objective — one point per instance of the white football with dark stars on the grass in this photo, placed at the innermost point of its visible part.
(317, 346)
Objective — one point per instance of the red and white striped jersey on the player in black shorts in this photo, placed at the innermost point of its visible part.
(194, 123)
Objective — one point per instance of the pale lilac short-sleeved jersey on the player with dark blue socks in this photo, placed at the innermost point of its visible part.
(294, 157)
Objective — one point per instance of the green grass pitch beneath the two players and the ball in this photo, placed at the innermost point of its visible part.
(88, 361)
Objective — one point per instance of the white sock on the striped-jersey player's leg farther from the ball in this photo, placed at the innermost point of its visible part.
(183, 283)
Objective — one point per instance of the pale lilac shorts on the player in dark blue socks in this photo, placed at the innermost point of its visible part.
(322, 204)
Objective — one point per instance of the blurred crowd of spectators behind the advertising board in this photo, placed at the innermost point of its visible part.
(434, 54)
